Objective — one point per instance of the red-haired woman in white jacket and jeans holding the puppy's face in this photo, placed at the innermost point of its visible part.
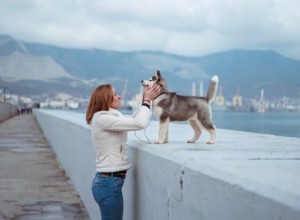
(109, 136)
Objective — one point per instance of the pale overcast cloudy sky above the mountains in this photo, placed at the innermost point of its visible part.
(185, 27)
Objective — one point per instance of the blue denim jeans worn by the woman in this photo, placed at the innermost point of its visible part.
(107, 192)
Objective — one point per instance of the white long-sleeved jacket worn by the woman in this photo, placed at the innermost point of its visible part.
(109, 136)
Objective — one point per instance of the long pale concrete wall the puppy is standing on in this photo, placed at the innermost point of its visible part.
(243, 176)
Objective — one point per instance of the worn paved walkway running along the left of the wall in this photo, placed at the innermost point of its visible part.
(32, 185)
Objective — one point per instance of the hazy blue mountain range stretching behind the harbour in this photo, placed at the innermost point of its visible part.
(40, 70)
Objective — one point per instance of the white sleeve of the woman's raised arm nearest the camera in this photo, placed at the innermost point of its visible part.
(137, 121)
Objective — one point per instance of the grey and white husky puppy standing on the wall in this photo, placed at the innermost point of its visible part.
(169, 106)
